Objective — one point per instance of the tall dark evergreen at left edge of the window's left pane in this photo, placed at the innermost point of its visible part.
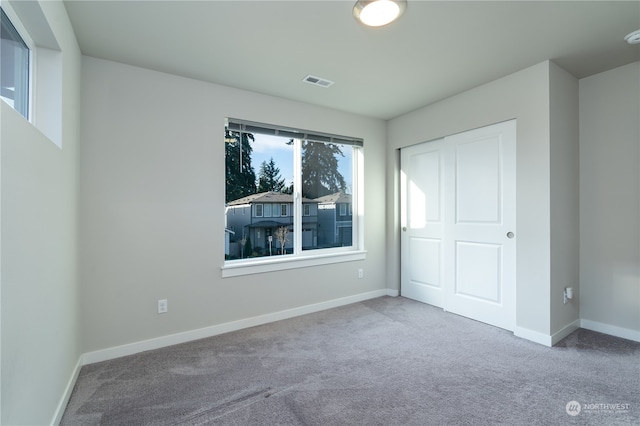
(240, 176)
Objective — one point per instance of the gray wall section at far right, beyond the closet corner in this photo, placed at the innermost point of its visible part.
(610, 201)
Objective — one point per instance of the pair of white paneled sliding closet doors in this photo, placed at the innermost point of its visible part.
(458, 217)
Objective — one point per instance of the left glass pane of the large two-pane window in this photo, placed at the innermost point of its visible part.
(259, 173)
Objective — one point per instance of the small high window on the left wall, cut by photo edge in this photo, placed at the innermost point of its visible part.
(14, 82)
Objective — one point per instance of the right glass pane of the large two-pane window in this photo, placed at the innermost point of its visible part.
(327, 173)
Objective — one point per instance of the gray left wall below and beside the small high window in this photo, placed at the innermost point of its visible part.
(40, 338)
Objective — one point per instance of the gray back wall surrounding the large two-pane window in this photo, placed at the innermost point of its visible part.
(152, 207)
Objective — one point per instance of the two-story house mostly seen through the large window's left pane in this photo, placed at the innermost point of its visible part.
(258, 216)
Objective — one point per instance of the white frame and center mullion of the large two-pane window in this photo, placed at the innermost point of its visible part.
(305, 258)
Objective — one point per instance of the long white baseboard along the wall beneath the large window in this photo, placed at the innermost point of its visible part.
(187, 336)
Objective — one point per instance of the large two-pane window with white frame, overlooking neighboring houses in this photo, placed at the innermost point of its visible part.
(300, 171)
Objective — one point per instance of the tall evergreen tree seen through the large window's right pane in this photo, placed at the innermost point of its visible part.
(320, 174)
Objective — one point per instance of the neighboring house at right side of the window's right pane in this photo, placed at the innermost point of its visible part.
(335, 215)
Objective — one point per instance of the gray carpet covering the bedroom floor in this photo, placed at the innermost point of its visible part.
(386, 361)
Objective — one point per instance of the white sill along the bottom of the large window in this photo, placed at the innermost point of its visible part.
(259, 266)
